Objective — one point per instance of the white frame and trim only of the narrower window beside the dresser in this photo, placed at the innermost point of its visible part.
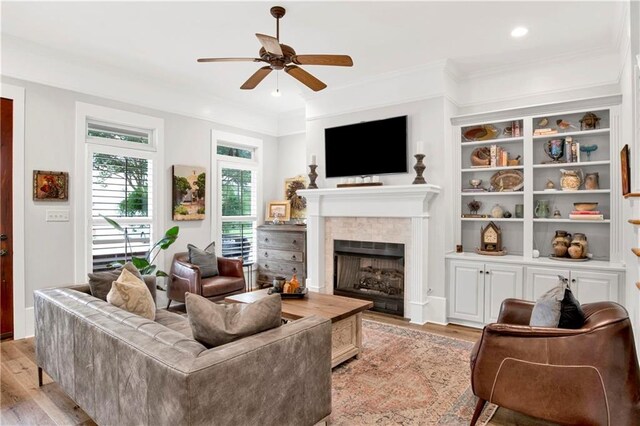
(218, 162)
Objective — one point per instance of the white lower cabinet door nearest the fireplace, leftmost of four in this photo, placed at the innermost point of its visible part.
(466, 291)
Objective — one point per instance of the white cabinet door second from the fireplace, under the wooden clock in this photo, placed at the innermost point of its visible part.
(500, 282)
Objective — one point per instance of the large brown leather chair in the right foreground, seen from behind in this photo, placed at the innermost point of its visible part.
(588, 376)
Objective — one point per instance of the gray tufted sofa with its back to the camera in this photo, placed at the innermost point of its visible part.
(123, 369)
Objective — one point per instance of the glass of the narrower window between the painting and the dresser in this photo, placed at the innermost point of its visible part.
(238, 178)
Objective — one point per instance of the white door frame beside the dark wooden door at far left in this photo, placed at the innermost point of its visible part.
(20, 326)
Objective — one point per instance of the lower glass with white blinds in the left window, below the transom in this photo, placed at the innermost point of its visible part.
(120, 190)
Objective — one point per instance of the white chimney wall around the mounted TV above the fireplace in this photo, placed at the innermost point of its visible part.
(426, 121)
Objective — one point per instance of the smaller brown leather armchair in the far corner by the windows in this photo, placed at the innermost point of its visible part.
(185, 276)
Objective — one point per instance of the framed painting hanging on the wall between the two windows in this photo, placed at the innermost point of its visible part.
(188, 193)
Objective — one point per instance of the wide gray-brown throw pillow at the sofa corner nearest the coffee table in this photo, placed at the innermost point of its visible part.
(215, 324)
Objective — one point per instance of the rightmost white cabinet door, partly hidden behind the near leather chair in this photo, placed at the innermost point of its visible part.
(589, 287)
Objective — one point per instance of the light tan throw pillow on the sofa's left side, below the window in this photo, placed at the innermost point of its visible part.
(130, 293)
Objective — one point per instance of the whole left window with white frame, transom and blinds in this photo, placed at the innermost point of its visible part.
(118, 169)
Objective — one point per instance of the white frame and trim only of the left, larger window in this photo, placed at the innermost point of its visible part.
(86, 146)
